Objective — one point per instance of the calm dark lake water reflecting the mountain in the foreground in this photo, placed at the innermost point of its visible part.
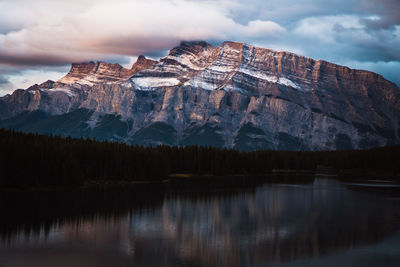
(317, 222)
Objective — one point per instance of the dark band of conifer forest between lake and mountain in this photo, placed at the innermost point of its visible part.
(33, 160)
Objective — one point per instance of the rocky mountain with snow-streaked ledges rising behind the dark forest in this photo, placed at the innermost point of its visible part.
(234, 95)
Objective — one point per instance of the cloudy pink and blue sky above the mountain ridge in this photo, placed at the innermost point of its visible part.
(39, 39)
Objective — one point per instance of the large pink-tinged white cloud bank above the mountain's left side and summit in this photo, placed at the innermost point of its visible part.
(52, 34)
